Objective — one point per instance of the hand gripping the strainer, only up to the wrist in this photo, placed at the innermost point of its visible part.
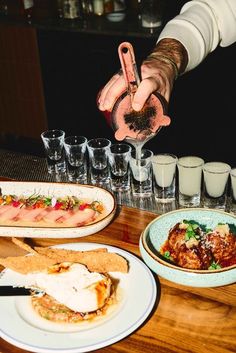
(157, 76)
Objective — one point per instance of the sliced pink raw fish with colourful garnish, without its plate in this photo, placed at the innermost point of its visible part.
(48, 211)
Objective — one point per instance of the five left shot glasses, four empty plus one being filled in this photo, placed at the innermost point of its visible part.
(98, 161)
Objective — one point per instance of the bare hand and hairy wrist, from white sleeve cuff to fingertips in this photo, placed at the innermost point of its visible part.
(158, 73)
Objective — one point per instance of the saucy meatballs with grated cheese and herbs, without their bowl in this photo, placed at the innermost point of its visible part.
(195, 246)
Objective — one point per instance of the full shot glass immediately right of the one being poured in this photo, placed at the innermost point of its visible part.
(164, 171)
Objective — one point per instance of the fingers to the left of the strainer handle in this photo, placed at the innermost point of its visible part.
(109, 94)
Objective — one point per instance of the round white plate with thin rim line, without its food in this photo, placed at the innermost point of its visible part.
(20, 327)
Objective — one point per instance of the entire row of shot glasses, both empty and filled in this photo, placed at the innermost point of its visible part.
(187, 181)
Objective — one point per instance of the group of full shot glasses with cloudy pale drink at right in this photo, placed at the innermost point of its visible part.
(194, 182)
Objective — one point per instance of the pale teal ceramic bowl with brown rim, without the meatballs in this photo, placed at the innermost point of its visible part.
(155, 235)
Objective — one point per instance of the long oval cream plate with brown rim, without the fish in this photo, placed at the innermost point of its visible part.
(59, 190)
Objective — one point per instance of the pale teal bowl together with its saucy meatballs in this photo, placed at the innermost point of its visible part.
(192, 247)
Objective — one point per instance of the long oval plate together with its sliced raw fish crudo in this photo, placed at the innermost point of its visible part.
(54, 210)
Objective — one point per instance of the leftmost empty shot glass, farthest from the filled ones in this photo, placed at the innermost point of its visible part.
(53, 141)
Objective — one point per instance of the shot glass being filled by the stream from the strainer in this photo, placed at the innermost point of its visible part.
(141, 173)
